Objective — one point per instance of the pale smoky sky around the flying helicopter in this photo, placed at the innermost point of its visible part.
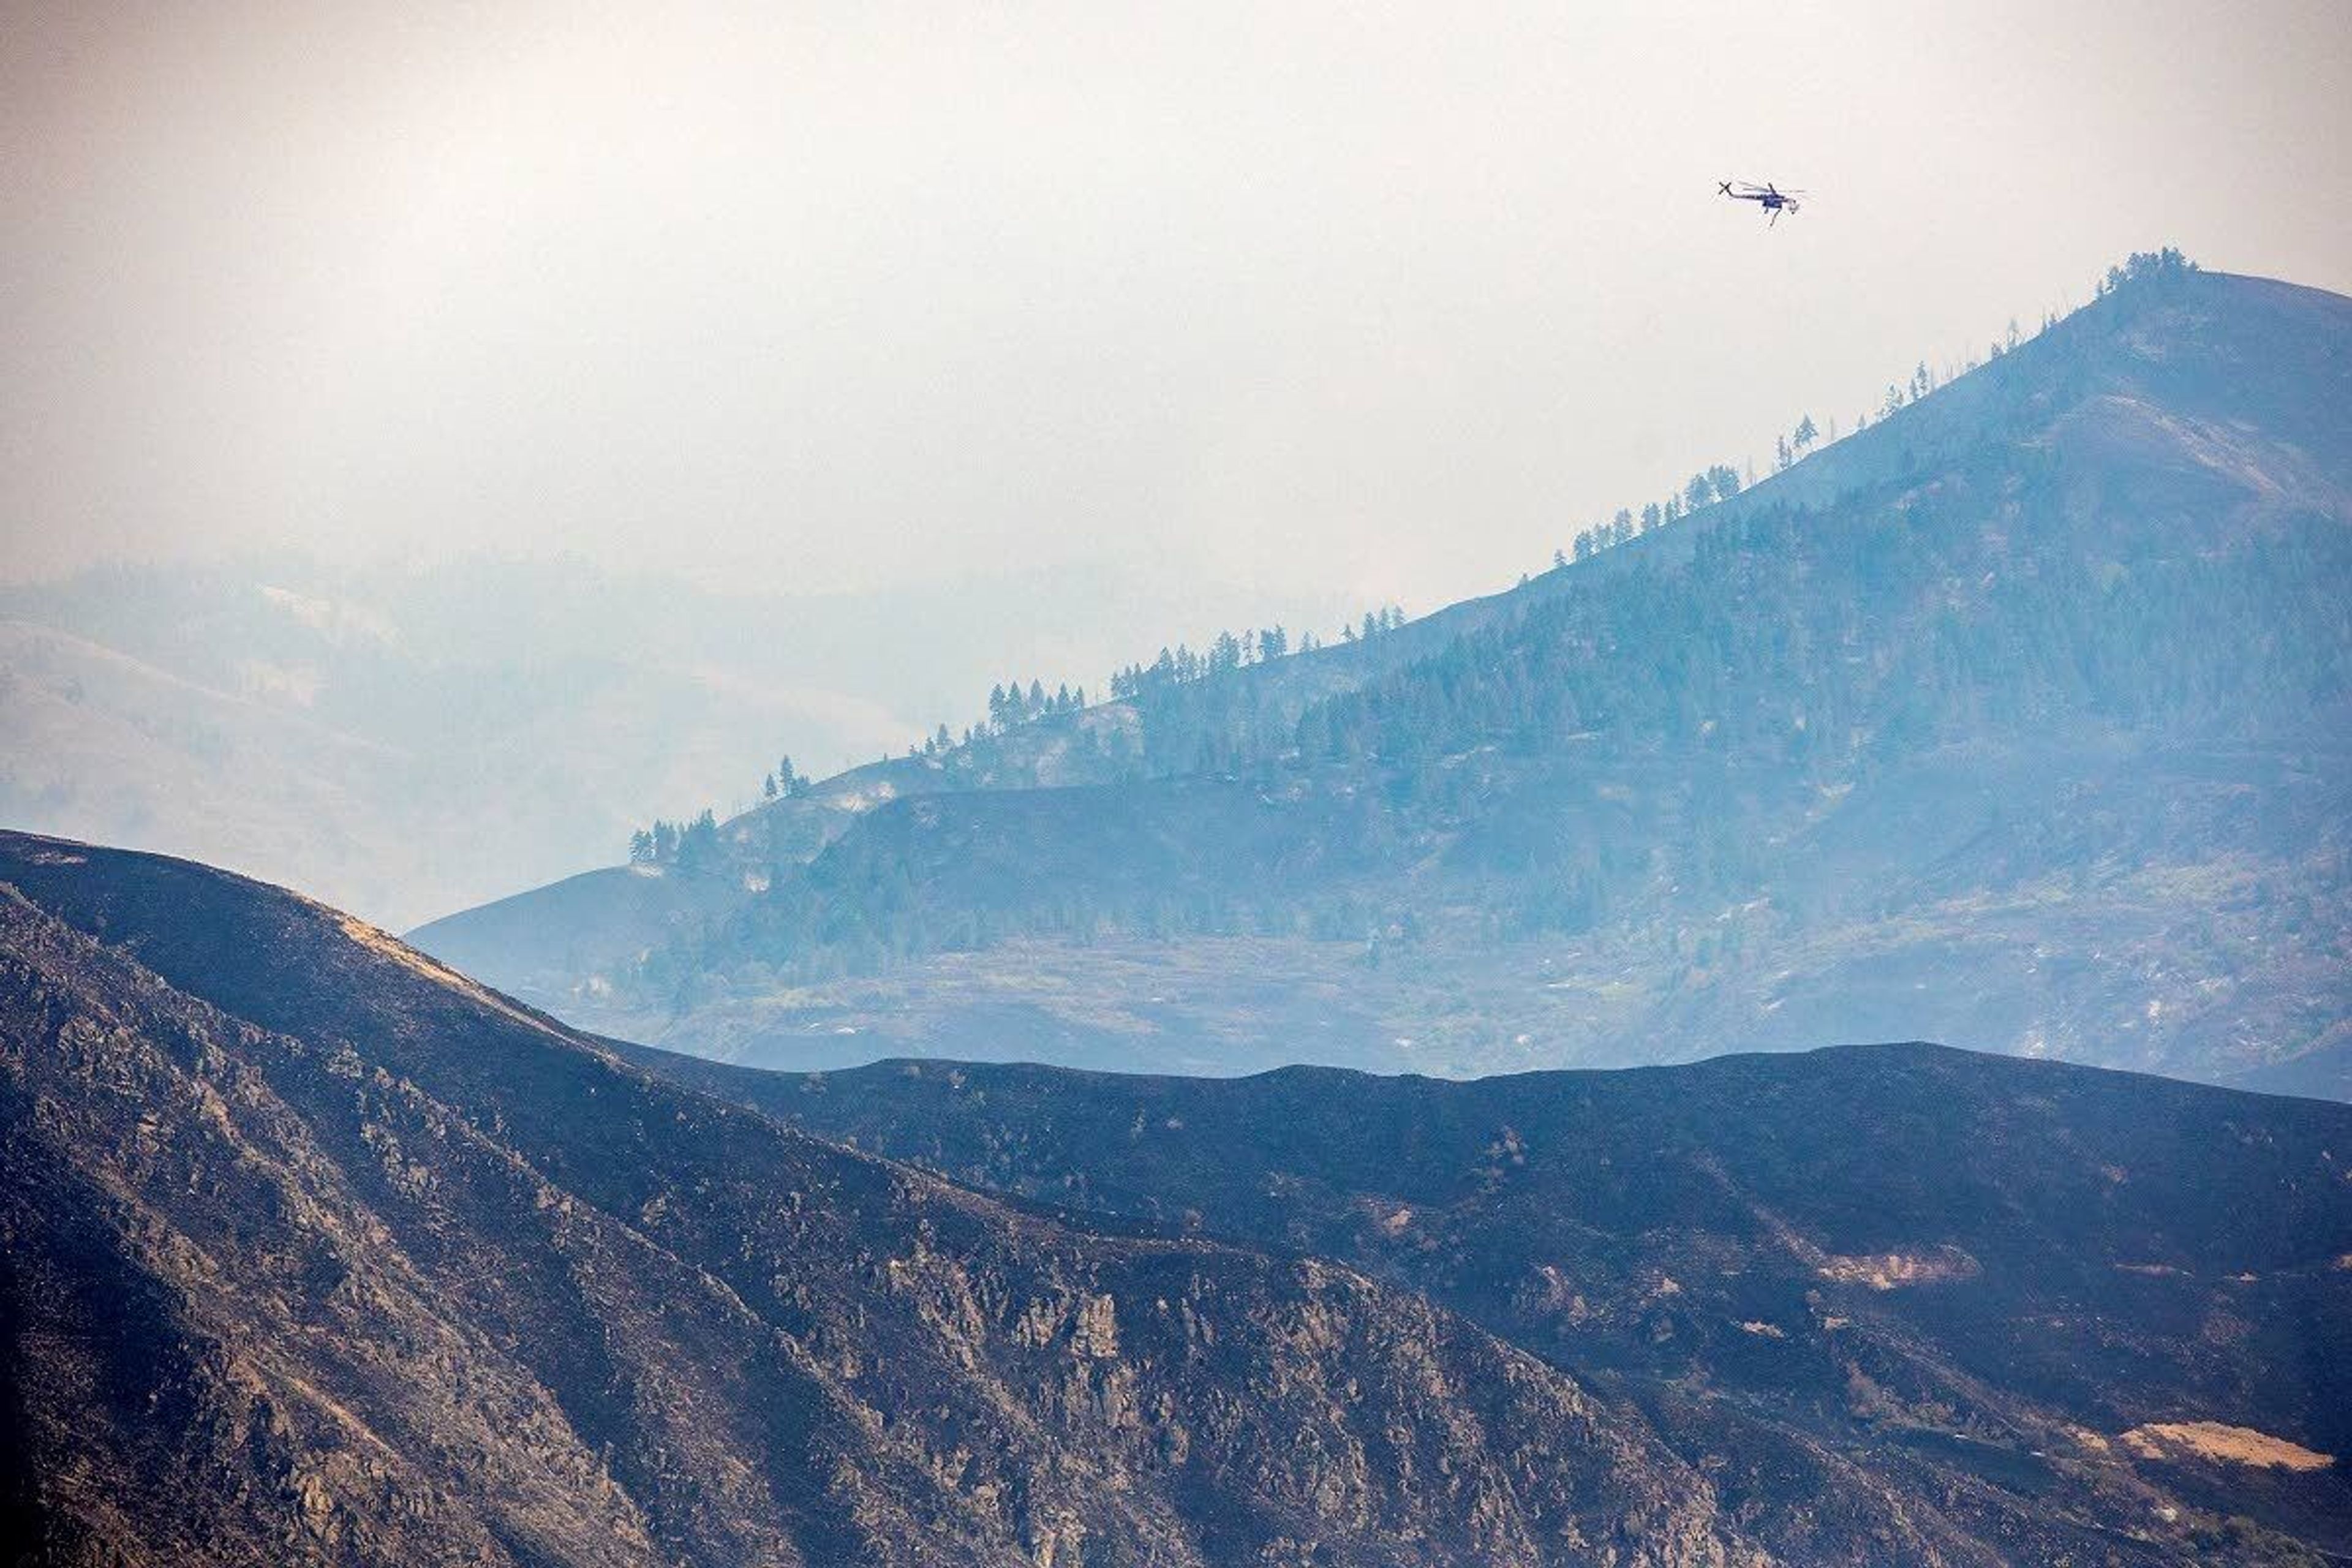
(1365, 300)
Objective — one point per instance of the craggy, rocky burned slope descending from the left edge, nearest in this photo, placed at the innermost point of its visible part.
(321, 1254)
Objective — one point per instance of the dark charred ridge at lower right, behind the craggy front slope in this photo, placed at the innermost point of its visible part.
(1939, 1271)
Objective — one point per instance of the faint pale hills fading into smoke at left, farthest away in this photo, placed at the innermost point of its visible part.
(417, 739)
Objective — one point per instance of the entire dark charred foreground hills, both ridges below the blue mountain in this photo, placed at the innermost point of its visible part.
(319, 1252)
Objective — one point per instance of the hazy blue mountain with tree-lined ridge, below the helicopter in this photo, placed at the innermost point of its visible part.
(2017, 721)
